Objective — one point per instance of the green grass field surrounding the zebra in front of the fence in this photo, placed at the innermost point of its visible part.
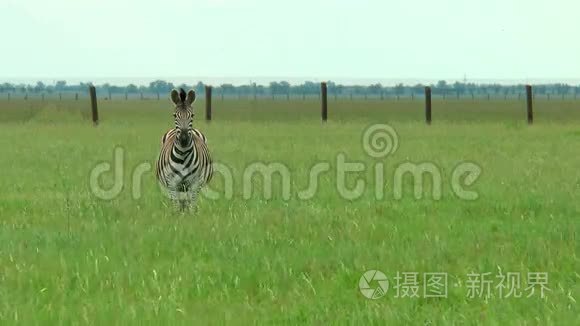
(70, 258)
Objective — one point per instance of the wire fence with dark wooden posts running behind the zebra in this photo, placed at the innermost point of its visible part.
(429, 105)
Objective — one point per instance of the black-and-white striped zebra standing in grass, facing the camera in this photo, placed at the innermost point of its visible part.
(184, 165)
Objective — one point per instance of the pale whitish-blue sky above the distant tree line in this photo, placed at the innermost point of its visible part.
(322, 39)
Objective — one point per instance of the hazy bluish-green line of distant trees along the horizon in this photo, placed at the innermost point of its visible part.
(283, 88)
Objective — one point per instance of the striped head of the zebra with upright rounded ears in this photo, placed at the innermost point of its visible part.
(183, 114)
